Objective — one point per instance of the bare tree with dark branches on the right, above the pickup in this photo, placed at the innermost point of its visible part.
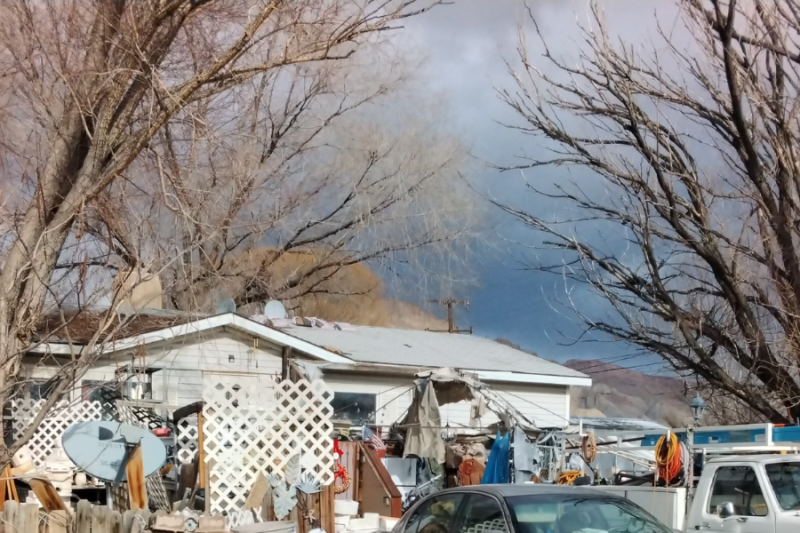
(688, 227)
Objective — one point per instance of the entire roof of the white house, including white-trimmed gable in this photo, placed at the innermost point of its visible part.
(490, 360)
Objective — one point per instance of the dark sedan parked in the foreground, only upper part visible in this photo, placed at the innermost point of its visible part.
(526, 509)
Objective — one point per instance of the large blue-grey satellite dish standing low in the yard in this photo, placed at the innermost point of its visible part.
(101, 448)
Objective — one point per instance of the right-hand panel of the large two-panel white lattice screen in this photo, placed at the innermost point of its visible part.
(302, 423)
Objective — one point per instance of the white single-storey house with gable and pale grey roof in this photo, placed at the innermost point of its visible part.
(369, 369)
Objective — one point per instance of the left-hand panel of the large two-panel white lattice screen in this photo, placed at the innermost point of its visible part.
(234, 427)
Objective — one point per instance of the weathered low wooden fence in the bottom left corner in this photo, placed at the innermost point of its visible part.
(87, 518)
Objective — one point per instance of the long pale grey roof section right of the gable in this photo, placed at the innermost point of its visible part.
(493, 361)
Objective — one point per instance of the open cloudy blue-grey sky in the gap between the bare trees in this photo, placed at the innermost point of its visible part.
(466, 44)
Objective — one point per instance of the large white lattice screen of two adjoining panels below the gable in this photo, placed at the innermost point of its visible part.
(251, 426)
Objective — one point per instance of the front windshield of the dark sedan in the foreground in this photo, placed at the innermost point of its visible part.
(568, 514)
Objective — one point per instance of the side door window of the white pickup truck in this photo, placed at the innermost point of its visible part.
(738, 485)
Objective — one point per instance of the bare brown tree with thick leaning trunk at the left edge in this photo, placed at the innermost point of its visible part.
(92, 92)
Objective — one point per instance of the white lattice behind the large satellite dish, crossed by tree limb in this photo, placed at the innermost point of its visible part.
(49, 432)
